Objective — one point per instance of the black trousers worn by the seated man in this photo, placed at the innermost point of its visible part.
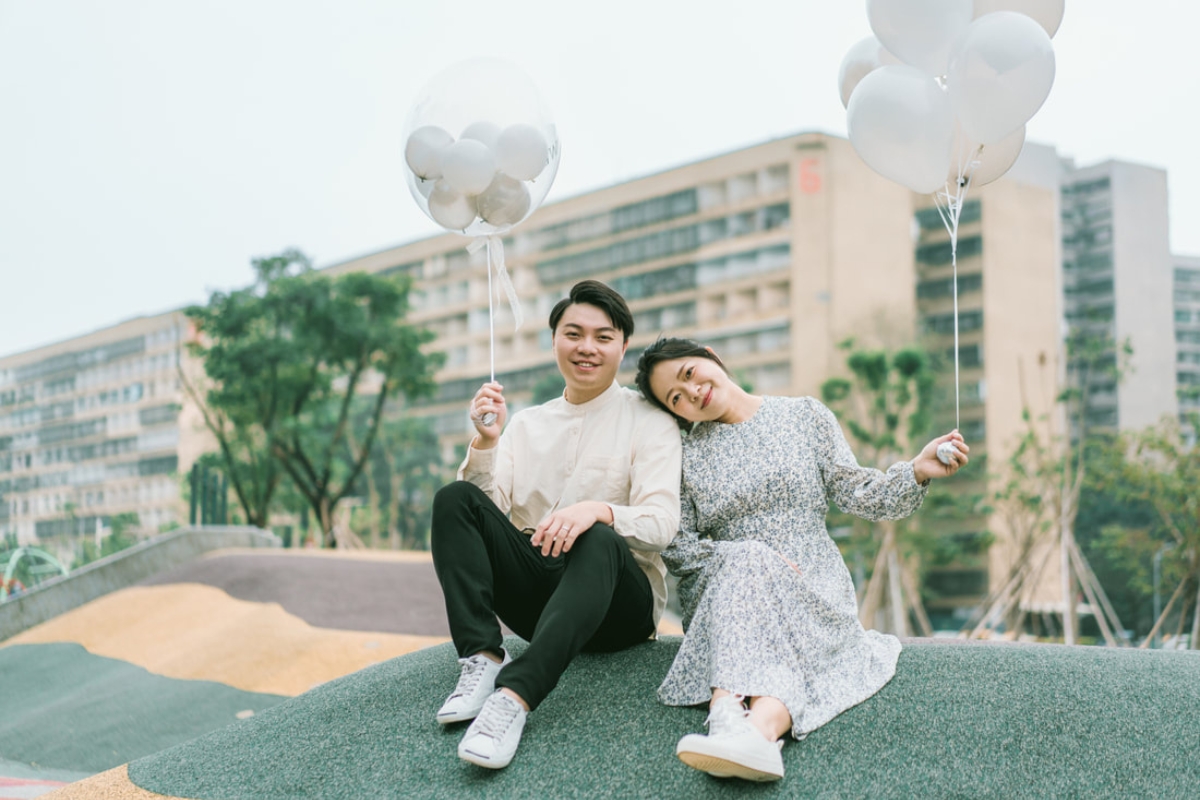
(595, 598)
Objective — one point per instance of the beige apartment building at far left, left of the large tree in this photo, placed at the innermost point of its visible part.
(92, 428)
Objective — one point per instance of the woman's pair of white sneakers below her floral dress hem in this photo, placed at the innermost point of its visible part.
(734, 748)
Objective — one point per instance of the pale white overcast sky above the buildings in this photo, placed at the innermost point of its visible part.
(151, 148)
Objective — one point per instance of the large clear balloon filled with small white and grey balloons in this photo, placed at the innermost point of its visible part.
(481, 148)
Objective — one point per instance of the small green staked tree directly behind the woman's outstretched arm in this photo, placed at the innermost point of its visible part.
(885, 405)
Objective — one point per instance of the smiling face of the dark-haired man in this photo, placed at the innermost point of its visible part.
(589, 350)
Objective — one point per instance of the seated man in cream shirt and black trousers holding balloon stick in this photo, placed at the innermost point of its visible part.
(555, 527)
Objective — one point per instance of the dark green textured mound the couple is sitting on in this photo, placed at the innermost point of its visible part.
(958, 721)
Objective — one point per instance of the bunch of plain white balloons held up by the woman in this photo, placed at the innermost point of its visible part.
(943, 91)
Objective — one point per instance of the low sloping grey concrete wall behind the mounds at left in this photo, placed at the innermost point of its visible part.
(128, 568)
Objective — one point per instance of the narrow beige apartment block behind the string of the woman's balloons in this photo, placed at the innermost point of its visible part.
(1010, 332)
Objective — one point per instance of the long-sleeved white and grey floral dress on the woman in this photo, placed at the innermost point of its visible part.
(754, 492)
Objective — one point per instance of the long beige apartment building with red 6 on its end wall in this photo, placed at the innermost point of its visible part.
(773, 255)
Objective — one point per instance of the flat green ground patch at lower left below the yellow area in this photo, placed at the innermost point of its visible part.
(63, 708)
